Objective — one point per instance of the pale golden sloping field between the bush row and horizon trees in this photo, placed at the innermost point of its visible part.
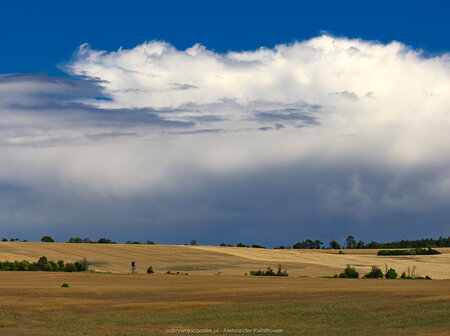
(209, 260)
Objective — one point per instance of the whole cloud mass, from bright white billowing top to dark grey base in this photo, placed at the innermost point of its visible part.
(319, 138)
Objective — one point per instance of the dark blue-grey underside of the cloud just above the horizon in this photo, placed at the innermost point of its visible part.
(279, 206)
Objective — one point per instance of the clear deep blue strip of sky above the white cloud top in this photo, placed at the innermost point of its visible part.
(36, 36)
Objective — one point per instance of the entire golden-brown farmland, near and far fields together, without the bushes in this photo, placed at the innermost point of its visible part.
(33, 303)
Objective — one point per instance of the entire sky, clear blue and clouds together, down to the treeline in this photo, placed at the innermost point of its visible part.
(256, 122)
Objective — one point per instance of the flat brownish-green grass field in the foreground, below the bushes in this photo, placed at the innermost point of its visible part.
(33, 303)
